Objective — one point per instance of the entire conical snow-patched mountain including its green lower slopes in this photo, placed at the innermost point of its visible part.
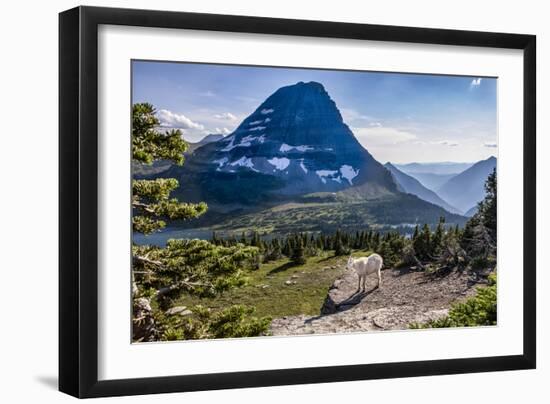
(294, 165)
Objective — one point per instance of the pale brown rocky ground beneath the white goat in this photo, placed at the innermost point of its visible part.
(405, 296)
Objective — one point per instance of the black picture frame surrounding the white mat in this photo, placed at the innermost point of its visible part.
(78, 201)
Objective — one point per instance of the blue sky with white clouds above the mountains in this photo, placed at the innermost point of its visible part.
(397, 117)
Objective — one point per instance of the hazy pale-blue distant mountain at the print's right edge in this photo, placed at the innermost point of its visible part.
(466, 189)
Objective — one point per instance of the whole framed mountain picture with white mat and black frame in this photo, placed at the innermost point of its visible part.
(251, 201)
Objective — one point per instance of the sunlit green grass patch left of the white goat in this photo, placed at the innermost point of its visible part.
(278, 299)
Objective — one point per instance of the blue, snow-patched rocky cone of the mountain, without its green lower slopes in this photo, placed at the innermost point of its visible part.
(294, 143)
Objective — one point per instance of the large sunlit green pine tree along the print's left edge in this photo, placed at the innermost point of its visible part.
(197, 267)
